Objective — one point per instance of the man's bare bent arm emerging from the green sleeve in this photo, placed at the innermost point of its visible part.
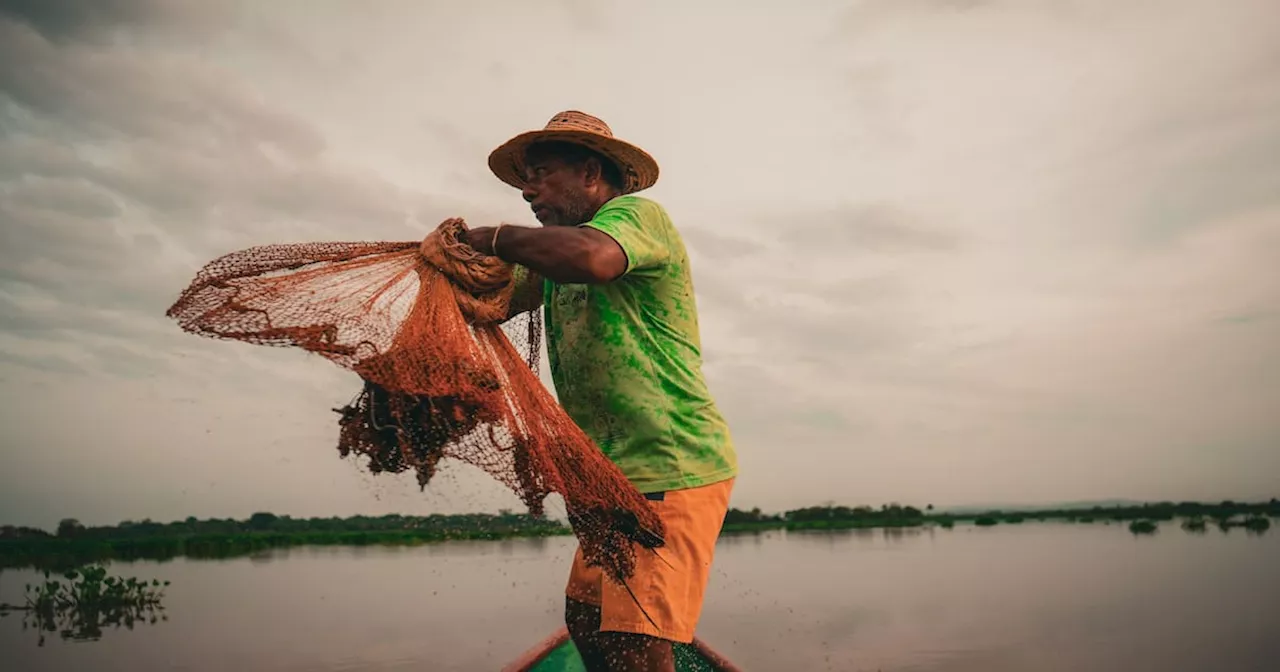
(561, 254)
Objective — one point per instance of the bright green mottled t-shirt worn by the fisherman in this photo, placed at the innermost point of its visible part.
(627, 358)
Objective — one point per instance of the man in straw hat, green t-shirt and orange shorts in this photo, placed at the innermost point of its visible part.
(612, 277)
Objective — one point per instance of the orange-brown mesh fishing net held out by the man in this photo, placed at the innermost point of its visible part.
(424, 326)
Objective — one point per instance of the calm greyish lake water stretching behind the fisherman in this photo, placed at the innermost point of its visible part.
(1052, 597)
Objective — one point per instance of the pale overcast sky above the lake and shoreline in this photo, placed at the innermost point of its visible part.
(945, 252)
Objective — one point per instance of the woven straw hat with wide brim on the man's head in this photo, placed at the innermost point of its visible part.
(639, 171)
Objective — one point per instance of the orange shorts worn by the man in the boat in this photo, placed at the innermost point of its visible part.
(670, 592)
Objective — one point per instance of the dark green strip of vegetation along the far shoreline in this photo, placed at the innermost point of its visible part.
(75, 545)
